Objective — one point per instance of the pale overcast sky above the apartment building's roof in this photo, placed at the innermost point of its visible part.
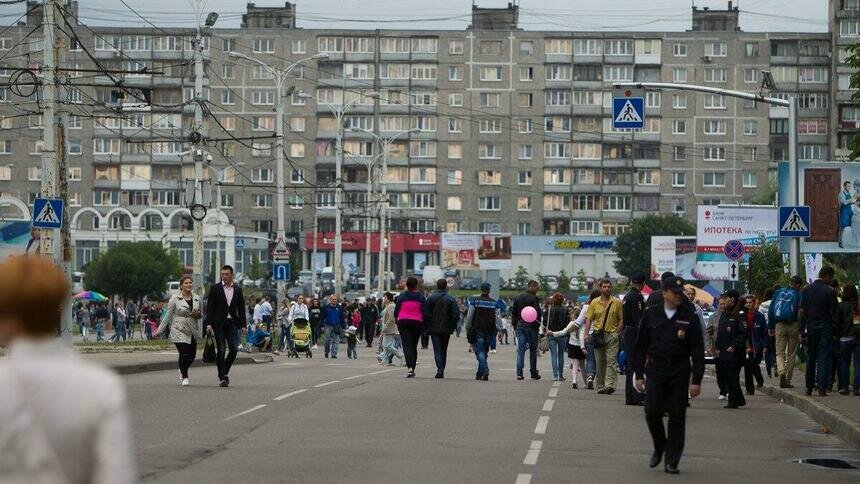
(618, 15)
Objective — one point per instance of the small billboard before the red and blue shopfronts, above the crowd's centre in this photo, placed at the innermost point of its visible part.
(476, 251)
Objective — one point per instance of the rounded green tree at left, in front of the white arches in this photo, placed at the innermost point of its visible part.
(133, 270)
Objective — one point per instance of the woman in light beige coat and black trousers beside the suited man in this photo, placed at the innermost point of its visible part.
(183, 316)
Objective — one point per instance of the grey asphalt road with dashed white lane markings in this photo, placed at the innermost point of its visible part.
(355, 421)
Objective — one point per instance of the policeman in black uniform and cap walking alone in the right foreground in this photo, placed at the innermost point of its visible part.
(669, 337)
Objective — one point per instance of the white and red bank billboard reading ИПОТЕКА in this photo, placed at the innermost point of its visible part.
(718, 225)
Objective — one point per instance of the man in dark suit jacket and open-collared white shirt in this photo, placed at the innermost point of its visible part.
(225, 317)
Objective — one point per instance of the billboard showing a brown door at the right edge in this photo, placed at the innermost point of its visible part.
(832, 192)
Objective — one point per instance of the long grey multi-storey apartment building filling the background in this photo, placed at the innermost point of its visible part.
(499, 128)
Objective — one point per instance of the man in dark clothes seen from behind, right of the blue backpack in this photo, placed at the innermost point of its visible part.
(818, 307)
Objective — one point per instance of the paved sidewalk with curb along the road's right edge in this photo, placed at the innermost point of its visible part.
(838, 413)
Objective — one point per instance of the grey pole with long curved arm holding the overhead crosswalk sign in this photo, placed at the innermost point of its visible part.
(790, 103)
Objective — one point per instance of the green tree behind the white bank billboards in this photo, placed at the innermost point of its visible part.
(633, 247)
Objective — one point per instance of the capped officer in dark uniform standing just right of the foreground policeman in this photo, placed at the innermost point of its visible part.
(730, 346)
